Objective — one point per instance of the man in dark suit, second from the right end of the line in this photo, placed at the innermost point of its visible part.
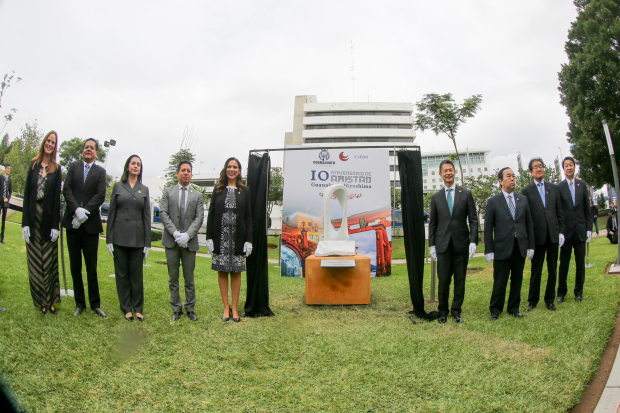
(546, 209)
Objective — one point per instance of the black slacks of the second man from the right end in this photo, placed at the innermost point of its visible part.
(538, 261)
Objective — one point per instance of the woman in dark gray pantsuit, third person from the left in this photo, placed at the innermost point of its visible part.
(128, 236)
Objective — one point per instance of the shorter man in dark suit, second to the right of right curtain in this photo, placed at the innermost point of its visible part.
(508, 239)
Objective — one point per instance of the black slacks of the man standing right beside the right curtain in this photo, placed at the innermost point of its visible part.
(451, 263)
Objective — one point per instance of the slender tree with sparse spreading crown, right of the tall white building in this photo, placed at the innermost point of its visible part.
(440, 114)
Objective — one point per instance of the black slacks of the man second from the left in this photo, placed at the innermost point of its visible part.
(79, 243)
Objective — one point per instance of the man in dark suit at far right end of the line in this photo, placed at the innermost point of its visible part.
(578, 222)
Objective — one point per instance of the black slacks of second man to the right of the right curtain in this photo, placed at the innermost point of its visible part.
(503, 270)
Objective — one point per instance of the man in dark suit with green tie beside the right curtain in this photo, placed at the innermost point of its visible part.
(451, 241)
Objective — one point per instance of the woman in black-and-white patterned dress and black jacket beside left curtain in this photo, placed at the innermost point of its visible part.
(229, 233)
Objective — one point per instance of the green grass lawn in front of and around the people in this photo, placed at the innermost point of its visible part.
(341, 358)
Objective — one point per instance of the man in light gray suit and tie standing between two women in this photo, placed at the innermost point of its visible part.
(182, 213)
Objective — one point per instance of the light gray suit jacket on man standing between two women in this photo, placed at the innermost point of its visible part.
(169, 213)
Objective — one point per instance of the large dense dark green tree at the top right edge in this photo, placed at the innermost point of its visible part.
(590, 86)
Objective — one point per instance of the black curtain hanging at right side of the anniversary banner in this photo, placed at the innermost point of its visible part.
(412, 205)
